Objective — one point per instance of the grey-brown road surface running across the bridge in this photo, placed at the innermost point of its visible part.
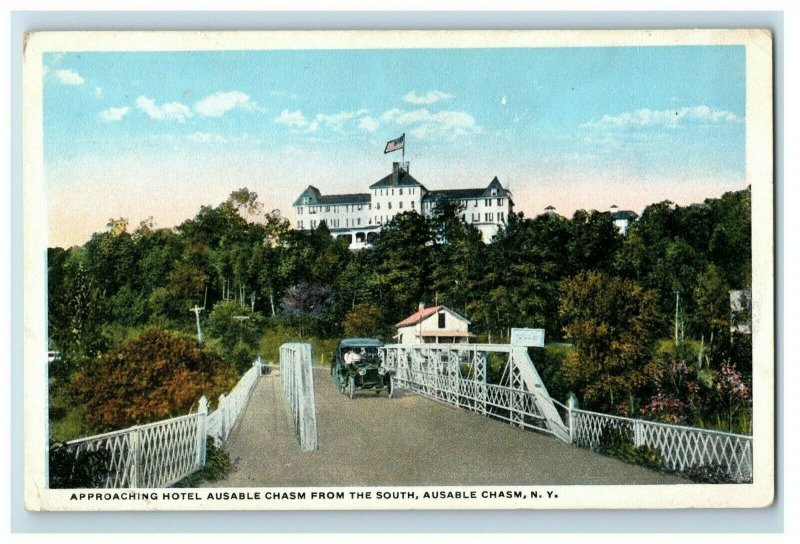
(408, 440)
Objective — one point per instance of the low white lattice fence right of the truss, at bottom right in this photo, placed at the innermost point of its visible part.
(681, 448)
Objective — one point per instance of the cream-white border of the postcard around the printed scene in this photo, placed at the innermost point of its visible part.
(759, 172)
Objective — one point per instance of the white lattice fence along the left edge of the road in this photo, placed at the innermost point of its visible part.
(161, 453)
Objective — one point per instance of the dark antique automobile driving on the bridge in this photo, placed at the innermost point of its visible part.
(357, 364)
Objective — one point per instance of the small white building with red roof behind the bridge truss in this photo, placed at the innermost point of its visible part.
(434, 325)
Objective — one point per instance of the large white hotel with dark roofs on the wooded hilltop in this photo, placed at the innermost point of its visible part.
(359, 217)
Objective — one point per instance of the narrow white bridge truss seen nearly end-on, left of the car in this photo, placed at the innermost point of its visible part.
(298, 391)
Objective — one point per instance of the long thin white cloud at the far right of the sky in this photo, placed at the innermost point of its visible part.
(664, 118)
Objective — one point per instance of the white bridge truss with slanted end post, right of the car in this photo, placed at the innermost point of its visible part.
(457, 374)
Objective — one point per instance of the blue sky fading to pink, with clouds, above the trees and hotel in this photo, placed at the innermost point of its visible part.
(159, 134)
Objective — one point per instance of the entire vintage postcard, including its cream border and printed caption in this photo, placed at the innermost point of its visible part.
(398, 270)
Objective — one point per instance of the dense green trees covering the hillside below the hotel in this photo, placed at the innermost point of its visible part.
(643, 317)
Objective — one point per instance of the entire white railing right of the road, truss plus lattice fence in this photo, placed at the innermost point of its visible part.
(457, 374)
